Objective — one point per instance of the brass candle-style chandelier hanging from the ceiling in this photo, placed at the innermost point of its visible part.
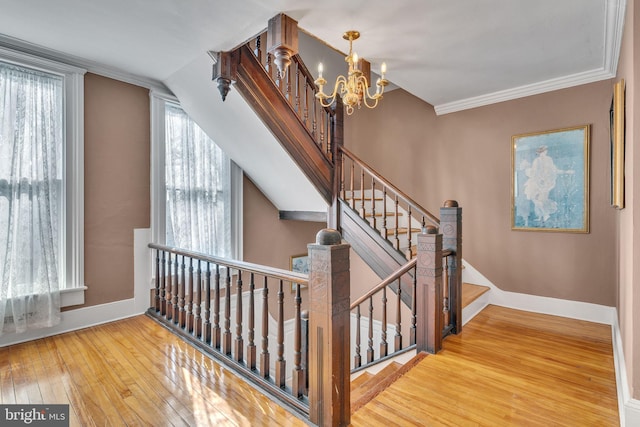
(353, 89)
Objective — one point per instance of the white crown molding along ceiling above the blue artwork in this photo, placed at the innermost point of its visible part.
(613, 29)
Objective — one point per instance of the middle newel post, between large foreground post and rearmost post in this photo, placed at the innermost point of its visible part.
(429, 291)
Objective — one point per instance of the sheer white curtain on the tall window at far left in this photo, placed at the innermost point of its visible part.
(31, 171)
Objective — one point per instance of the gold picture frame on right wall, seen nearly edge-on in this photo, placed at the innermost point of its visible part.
(617, 134)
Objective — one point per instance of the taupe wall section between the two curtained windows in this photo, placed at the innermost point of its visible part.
(117, 141)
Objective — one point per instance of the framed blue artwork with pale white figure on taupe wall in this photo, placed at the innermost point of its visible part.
(550, 180)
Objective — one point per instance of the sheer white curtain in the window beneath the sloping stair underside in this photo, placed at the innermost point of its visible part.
(197, 176)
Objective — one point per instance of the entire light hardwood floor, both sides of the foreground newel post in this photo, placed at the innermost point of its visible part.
(507, 368)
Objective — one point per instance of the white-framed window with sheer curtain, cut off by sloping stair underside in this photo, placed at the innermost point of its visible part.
(196, 185)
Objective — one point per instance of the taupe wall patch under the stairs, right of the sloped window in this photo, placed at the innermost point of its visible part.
(268, 240)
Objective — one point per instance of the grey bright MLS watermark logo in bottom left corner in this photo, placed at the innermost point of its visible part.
(34, 415)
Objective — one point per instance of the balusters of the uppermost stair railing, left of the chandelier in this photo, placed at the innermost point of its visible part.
(299, 89)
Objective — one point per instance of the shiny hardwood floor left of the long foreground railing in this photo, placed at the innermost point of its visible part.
(132, 372)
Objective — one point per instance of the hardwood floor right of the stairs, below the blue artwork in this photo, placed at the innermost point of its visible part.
(507, 368)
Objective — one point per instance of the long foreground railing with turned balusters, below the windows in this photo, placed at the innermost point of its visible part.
(247, 316)
